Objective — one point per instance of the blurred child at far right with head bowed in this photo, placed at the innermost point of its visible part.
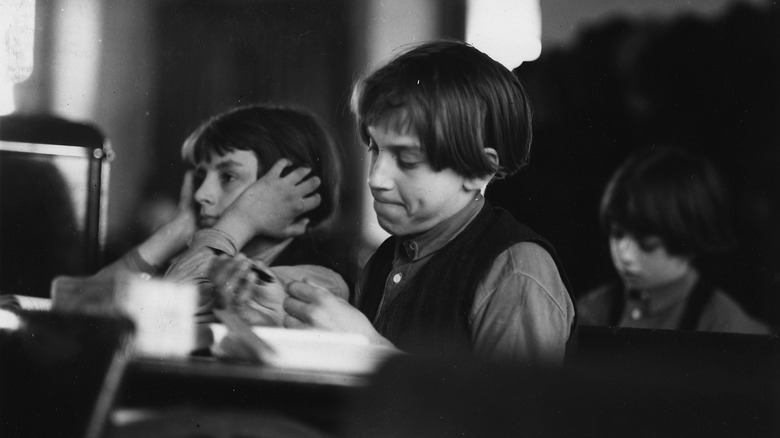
(666, 212)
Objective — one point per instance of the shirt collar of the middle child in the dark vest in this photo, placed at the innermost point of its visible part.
(412, 248)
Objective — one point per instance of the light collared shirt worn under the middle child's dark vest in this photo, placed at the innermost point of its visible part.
(521, 309)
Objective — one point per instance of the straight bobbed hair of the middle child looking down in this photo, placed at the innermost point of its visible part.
(458, 100)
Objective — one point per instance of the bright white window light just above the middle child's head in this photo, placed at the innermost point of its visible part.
(508, 30)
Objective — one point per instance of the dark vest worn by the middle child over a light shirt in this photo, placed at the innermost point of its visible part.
(430, 315)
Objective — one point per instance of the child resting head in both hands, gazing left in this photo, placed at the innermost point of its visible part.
(261, 178)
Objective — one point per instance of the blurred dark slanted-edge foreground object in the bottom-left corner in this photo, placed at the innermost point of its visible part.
(59, 372)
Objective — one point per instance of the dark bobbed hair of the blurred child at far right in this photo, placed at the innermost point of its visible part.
(673, 194)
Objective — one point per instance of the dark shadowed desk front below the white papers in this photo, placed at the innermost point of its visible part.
(321, 400)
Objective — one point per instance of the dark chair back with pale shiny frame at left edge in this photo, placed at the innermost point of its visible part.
(53, 201)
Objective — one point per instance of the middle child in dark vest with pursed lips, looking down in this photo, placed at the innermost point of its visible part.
(458, 276)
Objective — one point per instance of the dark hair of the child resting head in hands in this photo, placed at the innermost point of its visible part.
(273, 133)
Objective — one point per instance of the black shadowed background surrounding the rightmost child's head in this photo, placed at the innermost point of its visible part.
(708, 85)
